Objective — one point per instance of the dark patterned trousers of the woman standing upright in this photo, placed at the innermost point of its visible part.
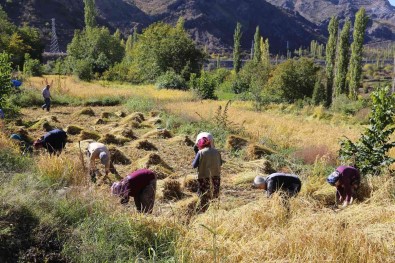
(208, 189)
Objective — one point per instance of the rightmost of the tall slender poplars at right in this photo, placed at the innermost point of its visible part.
(355, 71)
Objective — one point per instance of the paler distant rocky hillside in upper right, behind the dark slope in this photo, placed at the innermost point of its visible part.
(319, 12)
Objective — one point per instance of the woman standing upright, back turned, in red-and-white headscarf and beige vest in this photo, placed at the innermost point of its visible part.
(208, 161)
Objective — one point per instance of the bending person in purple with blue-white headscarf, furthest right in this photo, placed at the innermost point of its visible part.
(347, 180)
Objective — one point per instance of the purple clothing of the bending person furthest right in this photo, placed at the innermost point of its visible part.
(348, 176)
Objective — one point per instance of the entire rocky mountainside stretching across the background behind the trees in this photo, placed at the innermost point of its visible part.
(210, 22)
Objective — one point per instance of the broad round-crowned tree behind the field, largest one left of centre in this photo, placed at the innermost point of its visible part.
(161, 48)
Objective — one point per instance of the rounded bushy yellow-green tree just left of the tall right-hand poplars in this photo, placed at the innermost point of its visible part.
(293, 80)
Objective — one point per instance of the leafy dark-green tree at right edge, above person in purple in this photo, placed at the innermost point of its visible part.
(369, 153)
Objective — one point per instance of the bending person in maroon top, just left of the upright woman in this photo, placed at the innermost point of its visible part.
(141, 185)
